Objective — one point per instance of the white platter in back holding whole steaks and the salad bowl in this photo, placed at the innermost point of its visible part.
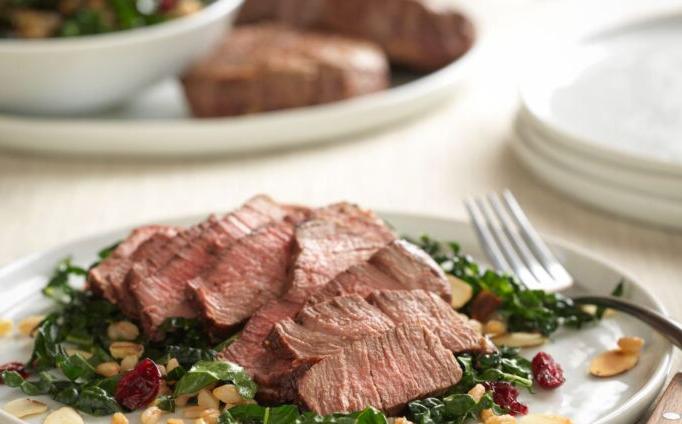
(157, 123)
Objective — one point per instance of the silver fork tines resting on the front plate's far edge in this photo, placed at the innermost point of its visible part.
(513, 245)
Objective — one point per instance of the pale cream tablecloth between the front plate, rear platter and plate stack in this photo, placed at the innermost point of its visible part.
(425, 165)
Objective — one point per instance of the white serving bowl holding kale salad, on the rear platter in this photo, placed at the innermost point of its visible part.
(87, 73)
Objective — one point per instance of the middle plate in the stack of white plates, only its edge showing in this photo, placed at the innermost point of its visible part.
(648, 183)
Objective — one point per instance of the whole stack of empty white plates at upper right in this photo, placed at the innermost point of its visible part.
(602, 121)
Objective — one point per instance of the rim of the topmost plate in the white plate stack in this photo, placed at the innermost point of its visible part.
(586, 145)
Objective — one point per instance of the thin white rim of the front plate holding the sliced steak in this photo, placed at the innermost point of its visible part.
(649, 390)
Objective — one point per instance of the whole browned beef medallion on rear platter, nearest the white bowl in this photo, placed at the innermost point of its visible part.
(267, 67)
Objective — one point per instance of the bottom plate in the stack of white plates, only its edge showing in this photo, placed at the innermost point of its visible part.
(604, 195)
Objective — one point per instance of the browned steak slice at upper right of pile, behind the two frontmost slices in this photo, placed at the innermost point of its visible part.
(398, 266)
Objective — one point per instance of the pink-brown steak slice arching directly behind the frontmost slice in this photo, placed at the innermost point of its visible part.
(325, 328)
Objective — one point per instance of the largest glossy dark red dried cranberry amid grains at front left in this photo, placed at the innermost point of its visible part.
(139, 386)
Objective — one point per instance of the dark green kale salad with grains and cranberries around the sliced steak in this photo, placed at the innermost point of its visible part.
(88, 356)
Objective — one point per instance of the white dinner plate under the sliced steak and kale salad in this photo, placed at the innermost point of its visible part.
(618, 400)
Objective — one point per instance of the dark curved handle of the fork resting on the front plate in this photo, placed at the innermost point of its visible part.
(669, 328)
